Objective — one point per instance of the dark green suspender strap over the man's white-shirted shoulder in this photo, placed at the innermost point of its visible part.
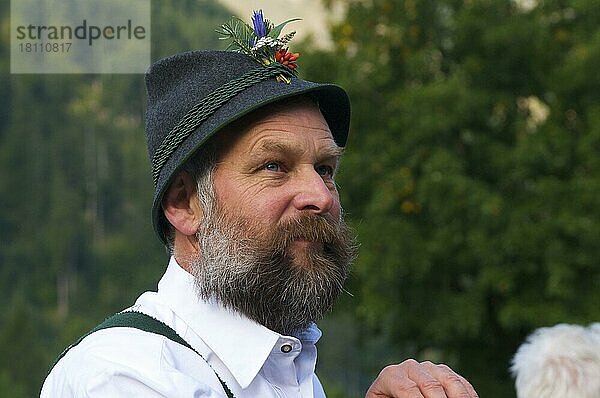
(141, 321)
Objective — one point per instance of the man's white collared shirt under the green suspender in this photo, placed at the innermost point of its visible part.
(124, 362)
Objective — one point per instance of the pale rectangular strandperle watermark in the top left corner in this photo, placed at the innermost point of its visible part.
(80, 36)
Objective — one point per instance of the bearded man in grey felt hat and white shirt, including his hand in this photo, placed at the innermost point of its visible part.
(244, 158)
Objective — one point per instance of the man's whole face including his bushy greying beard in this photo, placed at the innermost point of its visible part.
(274, 245)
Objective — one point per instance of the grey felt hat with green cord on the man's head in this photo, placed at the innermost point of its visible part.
(193, 95)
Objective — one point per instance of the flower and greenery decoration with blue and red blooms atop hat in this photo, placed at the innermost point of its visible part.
(261, 41)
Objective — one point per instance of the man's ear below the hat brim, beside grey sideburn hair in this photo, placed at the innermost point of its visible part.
(181, 205)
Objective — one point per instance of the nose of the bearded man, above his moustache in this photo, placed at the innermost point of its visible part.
(313, 194)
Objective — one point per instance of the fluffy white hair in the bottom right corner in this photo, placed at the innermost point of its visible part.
(562, 361)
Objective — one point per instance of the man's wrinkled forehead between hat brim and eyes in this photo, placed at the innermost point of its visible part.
(299, 123)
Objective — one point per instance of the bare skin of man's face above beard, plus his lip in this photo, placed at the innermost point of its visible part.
(281, 167)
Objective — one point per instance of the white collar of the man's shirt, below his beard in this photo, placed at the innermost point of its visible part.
(242, 344)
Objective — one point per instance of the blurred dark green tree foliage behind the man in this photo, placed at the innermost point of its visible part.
(472, 178)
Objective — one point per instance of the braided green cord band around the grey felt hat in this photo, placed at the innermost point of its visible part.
(205, 108)
